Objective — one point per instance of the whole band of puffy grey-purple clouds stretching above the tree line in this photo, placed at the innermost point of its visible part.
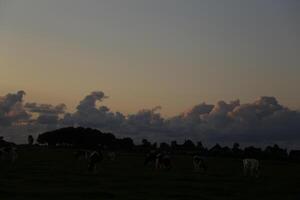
(263, 121)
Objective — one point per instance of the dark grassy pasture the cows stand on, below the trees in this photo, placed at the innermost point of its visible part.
(42, 173)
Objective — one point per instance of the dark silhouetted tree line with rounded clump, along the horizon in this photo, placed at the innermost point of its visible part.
(92, 138)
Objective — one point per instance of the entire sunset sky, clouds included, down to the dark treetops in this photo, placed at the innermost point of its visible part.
(209, 70)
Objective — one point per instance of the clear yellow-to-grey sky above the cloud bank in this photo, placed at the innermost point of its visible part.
(141, 54)
